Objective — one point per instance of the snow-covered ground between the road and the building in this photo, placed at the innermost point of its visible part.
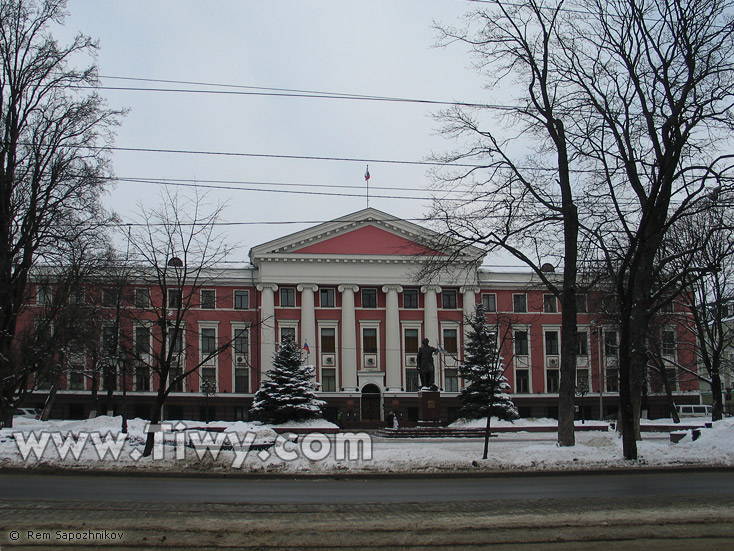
(244, 447)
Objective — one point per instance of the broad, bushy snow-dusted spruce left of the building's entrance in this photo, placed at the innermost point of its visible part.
(289, 393)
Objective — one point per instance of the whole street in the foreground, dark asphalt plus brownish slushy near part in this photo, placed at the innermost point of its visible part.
(682, 510)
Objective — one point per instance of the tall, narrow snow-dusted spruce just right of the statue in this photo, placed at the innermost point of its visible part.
(485, 394)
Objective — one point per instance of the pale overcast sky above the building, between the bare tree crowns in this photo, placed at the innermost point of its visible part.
(375, 47)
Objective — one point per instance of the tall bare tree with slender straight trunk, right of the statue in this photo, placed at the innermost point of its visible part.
(514, 201)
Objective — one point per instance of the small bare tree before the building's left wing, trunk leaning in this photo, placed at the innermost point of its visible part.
(177, 251)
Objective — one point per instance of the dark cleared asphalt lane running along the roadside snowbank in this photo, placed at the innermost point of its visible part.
(363, 490)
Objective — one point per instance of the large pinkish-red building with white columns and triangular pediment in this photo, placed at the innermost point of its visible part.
(350, 292)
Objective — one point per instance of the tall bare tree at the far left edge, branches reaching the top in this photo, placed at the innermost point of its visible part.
(52, 169)
